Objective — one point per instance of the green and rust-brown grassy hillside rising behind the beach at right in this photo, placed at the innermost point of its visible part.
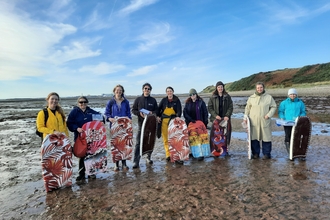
(318, 74)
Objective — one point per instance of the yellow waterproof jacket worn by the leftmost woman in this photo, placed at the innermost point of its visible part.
(54, 123)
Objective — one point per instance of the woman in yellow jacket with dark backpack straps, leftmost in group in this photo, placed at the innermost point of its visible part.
(56, 118)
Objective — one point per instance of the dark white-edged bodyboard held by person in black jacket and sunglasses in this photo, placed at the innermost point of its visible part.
(148, 134)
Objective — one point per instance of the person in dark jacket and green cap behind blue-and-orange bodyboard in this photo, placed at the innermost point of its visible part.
(195, 109)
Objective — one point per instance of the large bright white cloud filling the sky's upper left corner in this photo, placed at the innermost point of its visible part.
(25, 43)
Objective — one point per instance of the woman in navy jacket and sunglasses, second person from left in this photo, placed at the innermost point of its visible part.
(78, 116)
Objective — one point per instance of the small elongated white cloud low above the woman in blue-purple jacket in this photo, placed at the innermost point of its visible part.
(102, 68)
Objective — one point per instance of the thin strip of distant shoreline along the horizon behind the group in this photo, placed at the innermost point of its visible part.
(319, 91)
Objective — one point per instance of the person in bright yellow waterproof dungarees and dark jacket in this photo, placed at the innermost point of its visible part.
(169, 107)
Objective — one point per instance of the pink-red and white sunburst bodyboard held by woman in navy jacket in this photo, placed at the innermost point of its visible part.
(96, 159)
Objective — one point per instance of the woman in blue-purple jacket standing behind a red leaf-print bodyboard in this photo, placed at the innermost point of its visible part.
(118, 106)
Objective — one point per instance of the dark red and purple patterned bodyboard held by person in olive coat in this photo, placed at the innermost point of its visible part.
(218, 137)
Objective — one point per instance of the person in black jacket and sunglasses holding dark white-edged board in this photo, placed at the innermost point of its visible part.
(149, 103)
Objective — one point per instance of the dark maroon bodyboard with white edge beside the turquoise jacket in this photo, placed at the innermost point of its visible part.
(300, 137)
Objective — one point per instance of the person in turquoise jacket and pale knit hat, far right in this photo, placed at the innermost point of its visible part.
(290, 109)
